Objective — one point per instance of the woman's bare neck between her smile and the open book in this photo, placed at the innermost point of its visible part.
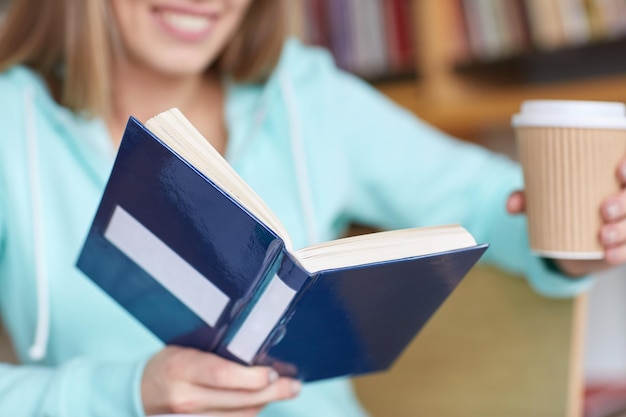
(143, 94)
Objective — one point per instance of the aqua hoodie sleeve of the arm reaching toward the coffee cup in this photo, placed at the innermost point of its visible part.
(407, 173)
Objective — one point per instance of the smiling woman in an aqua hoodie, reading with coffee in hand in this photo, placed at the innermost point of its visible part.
(320, 147)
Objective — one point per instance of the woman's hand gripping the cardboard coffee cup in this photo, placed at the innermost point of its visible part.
(612, 234)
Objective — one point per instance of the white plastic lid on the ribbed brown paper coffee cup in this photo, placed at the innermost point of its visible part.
(571, 113)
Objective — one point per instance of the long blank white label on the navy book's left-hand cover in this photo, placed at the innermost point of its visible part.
(164, 265)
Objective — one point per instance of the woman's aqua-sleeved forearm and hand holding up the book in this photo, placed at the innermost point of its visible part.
(176, 380)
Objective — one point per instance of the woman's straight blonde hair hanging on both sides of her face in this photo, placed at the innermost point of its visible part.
(76, 62)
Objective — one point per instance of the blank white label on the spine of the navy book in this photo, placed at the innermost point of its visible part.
(261, 320)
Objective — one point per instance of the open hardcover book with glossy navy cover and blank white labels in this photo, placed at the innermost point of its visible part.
(190, 250)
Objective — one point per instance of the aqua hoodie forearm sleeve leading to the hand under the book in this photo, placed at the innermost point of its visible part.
(80, 387)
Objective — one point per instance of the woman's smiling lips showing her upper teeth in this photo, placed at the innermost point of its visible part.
(186, 26)
